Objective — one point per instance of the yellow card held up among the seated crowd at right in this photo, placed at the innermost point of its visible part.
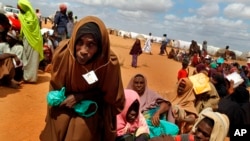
(200, 83)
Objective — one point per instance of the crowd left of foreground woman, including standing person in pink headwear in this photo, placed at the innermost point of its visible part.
(25, 50)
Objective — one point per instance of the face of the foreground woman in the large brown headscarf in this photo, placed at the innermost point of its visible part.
(86, 48)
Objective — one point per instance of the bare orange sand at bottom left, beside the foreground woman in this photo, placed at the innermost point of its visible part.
(23, 111)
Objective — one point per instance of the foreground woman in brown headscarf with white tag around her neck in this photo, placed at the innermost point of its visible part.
(88, 70)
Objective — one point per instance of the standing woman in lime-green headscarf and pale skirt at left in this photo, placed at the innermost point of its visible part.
(32, 41)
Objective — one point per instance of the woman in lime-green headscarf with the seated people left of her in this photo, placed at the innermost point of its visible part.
(21, 50)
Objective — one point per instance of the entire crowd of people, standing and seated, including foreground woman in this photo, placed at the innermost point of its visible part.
(87, 99)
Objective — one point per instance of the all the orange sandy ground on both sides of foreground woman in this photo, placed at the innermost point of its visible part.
(22, 112)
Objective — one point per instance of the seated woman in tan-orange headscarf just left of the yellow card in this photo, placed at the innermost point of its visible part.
(183, 105)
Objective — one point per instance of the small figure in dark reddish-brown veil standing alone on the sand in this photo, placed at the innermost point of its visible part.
(135, 52)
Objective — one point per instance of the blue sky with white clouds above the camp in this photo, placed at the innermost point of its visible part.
(219, 22)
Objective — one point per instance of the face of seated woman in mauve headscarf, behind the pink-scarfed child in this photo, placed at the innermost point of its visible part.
(139, 85)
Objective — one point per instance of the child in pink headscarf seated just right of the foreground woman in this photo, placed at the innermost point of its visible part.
(130, 122)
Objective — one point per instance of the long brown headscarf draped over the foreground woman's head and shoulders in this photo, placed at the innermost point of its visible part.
(66, 71)
